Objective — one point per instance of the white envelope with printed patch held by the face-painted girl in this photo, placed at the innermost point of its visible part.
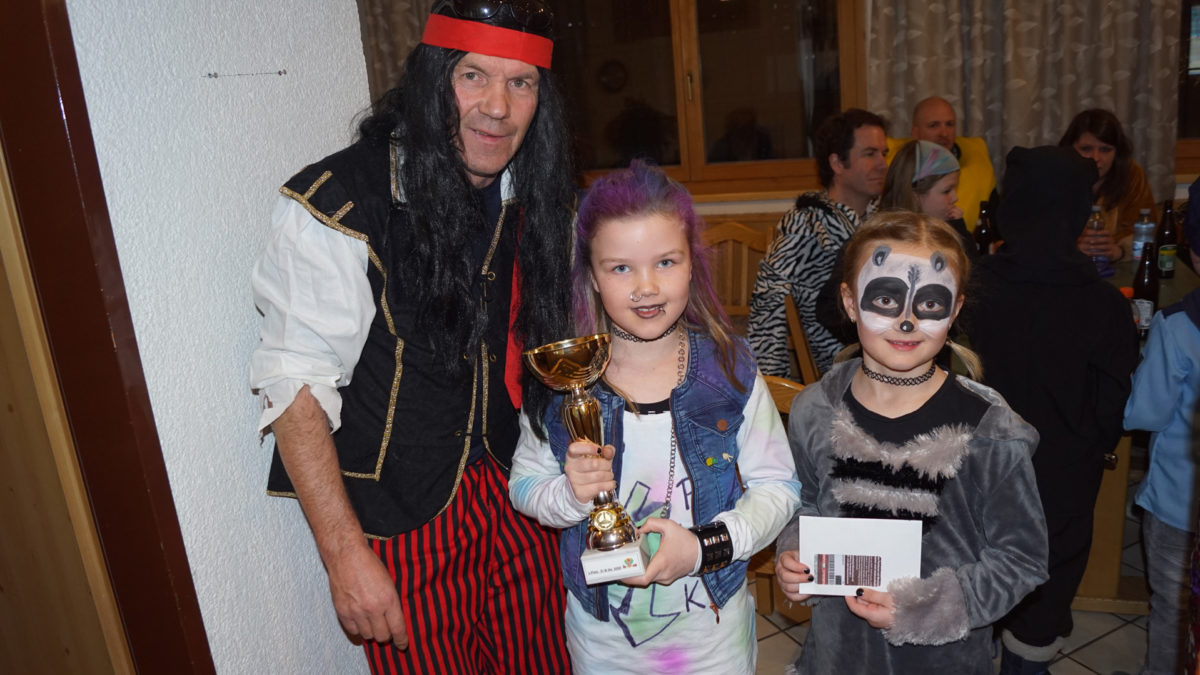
(847, 554)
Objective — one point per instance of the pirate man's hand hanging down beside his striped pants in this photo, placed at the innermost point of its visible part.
(365, 598)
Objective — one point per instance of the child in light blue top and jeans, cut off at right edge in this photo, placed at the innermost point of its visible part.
(1166, 389)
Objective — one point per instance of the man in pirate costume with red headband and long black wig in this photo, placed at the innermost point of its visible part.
(403, 278)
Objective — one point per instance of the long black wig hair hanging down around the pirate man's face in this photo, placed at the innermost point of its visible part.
(430, 264)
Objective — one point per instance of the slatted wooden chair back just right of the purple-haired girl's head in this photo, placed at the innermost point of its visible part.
(737, 252)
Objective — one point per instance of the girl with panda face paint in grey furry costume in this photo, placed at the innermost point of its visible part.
(891, 435)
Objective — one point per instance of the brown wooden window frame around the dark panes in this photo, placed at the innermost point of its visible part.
(752, 180)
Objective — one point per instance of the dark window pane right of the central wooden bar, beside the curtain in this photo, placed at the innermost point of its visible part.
(770, 76)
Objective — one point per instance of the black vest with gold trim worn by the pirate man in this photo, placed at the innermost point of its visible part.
(407, 426)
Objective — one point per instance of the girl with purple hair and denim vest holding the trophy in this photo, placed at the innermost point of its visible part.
(698, 457)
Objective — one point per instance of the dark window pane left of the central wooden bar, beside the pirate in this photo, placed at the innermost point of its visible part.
(615, 65)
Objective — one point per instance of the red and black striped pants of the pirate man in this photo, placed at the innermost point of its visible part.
(481, 587)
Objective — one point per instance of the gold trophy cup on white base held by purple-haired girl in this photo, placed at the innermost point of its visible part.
(574, 366)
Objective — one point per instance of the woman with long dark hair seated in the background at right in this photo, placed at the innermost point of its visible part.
(1123, 190)
